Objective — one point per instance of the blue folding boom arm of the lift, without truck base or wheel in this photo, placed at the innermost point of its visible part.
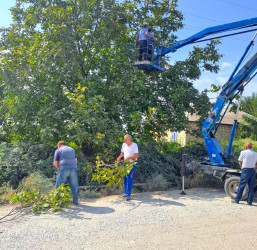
(230, 90)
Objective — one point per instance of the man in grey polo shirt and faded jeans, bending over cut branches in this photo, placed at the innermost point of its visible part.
(65, 160)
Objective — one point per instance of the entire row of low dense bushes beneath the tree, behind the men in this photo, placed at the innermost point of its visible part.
(22, 167)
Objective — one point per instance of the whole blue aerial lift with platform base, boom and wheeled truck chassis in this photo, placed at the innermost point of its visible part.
(219, 161)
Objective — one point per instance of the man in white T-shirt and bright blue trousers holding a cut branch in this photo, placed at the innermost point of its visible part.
(129, 151)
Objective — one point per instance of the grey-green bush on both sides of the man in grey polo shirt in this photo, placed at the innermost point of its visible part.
(18, 161)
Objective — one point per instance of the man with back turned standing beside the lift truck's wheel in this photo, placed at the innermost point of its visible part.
(248, 163)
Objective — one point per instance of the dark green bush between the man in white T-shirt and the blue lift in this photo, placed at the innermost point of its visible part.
(164, 158)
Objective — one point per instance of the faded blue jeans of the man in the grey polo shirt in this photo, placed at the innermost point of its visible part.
(72, 174)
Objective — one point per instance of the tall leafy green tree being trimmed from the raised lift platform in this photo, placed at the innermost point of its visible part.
(67, 73)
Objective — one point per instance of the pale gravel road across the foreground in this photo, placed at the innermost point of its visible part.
(202, 219)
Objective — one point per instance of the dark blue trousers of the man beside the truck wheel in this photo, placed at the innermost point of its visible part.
(248, 176)
